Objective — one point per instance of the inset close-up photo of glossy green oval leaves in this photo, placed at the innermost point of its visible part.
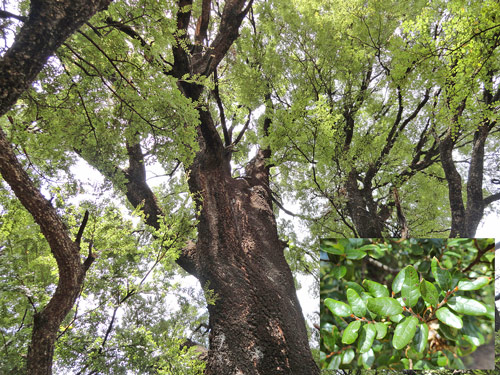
(407, 304)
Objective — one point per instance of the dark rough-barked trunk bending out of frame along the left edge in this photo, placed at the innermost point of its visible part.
(49, 23)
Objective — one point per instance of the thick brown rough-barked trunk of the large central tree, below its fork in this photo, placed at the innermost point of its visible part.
(256, 323)
